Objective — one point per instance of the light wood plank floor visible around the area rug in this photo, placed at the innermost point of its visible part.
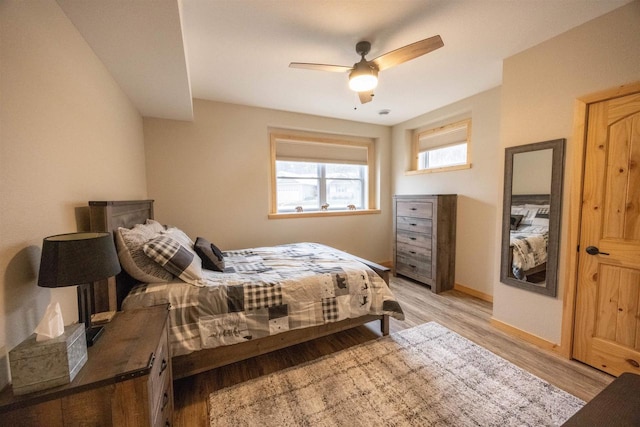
(466, 315)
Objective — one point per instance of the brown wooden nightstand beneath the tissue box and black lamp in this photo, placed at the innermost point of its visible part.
(126, 381)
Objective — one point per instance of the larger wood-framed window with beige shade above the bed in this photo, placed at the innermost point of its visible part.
(317, 174)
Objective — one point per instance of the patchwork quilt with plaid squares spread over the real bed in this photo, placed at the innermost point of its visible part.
(265, 291)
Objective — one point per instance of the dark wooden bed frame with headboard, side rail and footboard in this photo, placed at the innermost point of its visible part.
(109, 215)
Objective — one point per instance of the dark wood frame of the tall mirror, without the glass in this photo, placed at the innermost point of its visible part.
(555, 209)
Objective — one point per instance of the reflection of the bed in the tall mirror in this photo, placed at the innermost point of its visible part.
(529, 237)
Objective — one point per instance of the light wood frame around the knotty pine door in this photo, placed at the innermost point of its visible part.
(581, 110)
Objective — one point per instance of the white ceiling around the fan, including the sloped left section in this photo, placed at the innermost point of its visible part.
(164, 52)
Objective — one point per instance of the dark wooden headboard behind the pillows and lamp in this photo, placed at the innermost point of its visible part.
(107, 216)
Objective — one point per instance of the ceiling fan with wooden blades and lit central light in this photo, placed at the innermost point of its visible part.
(363, 75)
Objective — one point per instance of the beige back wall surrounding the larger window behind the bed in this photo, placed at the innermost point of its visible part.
(211, 177)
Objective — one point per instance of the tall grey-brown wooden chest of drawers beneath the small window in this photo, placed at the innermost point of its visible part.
(424, 240)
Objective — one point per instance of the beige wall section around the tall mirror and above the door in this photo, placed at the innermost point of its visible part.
(539, 88)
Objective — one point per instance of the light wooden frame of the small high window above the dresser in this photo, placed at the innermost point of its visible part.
(434, 132)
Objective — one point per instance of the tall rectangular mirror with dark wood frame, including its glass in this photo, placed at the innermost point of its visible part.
(531, 216)
